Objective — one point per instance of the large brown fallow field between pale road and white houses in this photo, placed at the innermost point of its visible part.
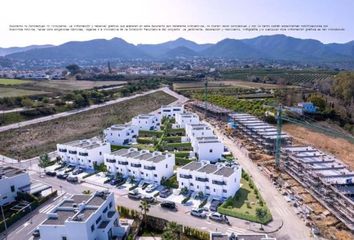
(30, 141)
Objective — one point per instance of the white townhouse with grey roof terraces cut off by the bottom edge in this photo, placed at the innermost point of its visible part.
(83, 216)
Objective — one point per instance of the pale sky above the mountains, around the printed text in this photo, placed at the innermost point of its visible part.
(335, 13)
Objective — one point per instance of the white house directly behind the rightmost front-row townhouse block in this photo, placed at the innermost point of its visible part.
(208, 148)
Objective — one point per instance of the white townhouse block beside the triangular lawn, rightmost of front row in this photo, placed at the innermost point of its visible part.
(217, 180)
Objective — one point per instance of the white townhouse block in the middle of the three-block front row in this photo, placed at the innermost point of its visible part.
(143, 165)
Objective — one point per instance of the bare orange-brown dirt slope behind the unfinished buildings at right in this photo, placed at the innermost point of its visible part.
(341, 148)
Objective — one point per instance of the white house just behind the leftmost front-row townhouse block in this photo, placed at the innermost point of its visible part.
(120, 134)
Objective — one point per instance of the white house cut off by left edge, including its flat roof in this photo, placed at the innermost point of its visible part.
(11, 180)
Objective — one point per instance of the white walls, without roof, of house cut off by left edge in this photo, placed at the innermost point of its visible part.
(15, 182)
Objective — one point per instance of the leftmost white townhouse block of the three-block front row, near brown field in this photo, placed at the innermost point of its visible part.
(84, 153)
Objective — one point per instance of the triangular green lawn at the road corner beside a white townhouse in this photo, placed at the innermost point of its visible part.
(244, 204)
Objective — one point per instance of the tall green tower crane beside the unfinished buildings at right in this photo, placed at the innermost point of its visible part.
(281, 116)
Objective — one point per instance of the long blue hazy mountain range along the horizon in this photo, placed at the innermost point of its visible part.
(273, 47)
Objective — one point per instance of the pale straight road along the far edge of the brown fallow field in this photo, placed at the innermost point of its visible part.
(75, 111)
